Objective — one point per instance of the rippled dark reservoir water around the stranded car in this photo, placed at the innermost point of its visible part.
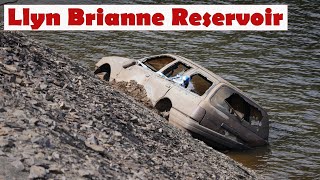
(280, 70)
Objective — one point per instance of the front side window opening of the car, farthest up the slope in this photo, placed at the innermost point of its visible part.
(157, 63)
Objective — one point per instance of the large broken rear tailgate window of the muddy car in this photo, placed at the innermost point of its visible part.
(230, 101)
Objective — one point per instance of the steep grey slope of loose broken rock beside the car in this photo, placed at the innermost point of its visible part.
(57, 120)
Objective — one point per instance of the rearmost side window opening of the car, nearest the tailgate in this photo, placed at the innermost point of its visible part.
(199, 84)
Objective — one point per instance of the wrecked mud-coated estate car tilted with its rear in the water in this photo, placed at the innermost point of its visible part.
(196, 99)
